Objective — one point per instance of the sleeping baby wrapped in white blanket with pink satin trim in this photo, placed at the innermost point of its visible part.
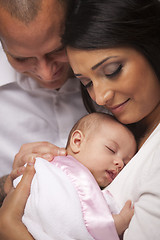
(66, 200)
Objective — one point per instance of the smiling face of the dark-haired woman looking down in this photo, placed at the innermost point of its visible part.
(121, 79)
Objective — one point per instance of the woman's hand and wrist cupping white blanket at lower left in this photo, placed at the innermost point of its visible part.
(11, 212)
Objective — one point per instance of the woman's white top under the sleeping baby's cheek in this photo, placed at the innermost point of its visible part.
(140, 182)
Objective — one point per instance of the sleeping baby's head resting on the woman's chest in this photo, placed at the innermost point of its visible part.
(102, 144)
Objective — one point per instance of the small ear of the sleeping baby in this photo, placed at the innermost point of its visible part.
(76, 141)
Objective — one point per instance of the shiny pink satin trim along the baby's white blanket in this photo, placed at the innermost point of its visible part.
(96, 214)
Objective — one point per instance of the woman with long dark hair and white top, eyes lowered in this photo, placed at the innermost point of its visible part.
(114, 49)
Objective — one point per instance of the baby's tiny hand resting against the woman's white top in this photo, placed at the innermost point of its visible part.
(123, 219)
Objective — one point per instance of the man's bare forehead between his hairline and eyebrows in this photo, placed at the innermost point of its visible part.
(38, 30)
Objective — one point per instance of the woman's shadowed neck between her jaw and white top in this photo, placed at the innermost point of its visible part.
(143, 129)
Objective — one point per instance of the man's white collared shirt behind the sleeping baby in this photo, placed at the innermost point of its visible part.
(30, 113)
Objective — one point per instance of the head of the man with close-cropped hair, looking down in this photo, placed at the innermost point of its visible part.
(30, 33)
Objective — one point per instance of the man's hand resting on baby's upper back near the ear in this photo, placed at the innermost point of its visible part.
(29, 151)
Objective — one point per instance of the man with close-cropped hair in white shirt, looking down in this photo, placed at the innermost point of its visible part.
(39, 101)
